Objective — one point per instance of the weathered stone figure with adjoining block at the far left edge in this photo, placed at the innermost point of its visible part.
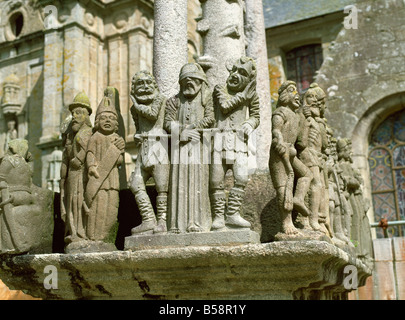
(26, 211)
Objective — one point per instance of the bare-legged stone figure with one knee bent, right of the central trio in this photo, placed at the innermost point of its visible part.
(284, 163)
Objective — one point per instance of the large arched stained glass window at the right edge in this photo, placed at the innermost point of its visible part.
(387, 170)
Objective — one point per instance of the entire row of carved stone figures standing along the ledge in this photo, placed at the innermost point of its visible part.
(187, 143)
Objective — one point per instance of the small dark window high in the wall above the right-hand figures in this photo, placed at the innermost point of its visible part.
(302, 64)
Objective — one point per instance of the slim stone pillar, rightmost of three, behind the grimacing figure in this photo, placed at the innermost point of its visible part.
(257, 49)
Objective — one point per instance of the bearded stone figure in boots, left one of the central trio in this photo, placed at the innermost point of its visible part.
(148, 112)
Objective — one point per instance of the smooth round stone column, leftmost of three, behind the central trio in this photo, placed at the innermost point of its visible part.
(170, 43)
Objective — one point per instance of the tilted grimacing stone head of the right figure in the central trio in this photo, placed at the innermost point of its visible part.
(241, 74)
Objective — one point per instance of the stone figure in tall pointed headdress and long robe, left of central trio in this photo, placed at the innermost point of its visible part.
(105, 152)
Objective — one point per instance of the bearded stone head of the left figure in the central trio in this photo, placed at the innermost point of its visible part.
(144, 87)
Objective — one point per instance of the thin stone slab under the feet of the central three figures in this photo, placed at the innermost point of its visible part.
(226, 238)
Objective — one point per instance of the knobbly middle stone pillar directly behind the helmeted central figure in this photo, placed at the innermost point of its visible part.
(222, 29)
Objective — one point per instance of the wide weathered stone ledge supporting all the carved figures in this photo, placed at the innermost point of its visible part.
(278, 270)
